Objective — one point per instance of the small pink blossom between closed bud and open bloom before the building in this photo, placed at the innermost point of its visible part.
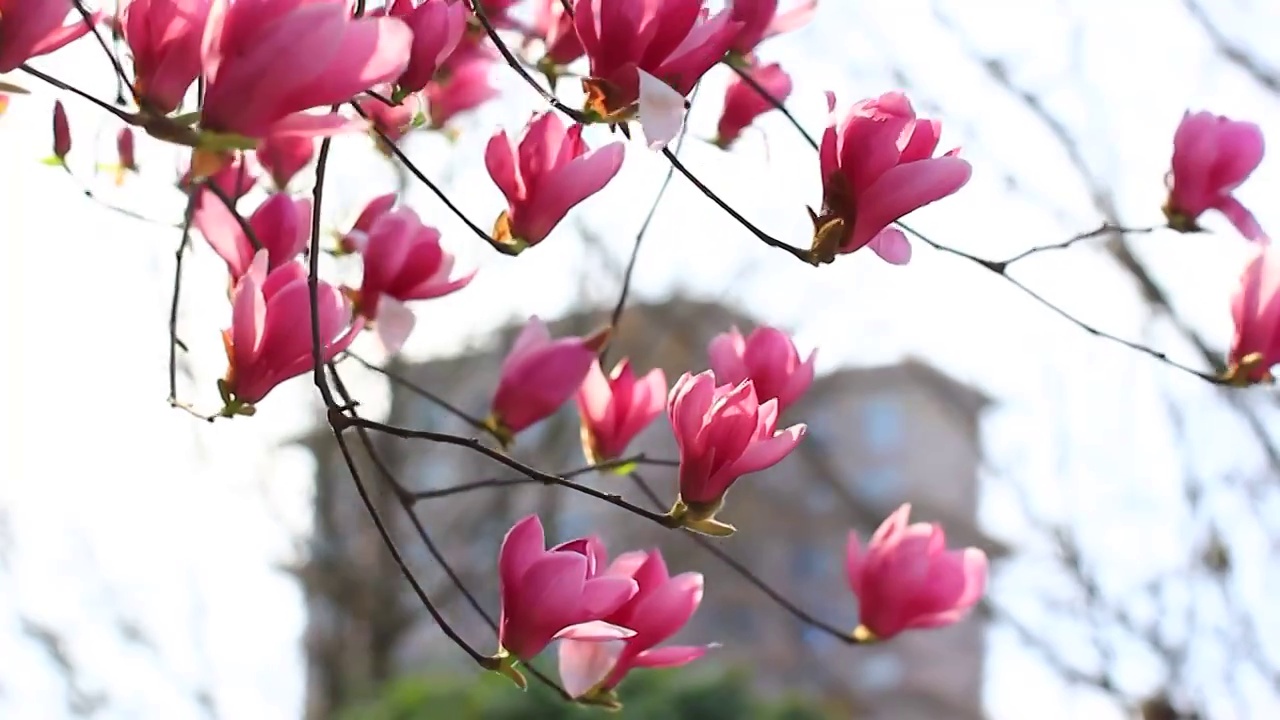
(615, 409)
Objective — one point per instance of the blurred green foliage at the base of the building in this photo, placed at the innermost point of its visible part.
(671, 695)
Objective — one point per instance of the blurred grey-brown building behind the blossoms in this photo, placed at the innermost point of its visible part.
(877, 438)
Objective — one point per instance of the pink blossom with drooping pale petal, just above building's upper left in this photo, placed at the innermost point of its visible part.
(404, 262)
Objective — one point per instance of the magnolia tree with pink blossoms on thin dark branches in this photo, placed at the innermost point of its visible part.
(254, 90)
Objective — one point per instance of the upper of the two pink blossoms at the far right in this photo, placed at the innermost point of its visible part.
(1213, 157)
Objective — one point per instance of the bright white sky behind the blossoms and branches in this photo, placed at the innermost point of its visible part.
(118, 512)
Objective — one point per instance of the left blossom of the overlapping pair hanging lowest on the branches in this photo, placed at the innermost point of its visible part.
(555, 594)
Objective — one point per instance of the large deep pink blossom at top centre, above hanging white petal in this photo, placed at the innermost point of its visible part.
(671, 40)
